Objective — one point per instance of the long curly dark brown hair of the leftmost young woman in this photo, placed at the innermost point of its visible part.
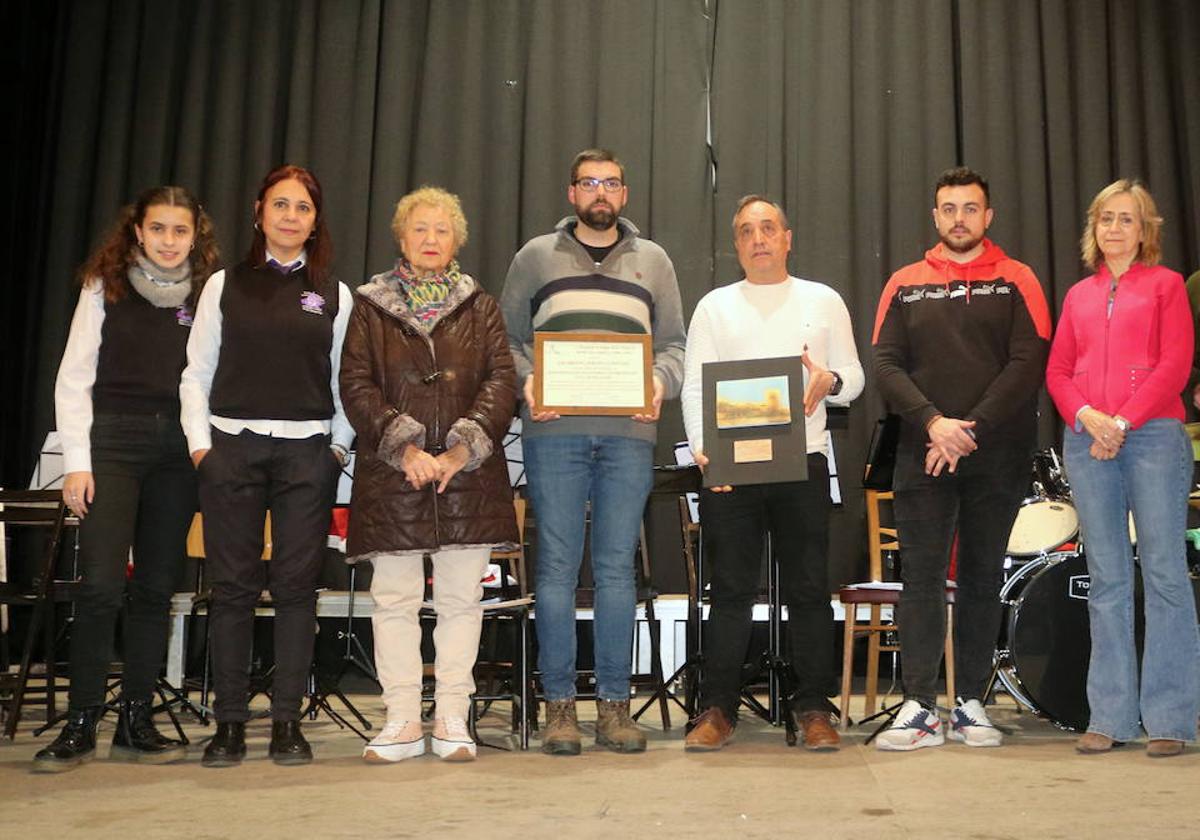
(110, 263)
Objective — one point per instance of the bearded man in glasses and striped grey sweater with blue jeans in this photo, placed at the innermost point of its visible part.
(593, 274)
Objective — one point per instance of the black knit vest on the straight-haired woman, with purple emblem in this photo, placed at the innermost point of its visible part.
(277, 335)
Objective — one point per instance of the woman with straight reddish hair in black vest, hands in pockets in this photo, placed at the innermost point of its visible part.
(267, 431)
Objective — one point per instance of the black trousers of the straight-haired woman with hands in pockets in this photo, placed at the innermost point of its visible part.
(242, 478)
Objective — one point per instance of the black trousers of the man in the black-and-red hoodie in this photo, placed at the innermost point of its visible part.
(980, 503)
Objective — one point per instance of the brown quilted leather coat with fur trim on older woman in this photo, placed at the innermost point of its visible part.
(435, 387)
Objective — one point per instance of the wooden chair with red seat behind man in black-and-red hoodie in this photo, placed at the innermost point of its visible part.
(880, 539)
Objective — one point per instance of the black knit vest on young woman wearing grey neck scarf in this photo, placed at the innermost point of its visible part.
(142, 353)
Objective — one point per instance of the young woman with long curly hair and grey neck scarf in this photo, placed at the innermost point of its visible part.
(128, 475)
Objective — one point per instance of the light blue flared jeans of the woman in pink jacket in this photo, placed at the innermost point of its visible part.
(1150, 476)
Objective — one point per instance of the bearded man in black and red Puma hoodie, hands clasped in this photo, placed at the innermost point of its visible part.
(961, 350)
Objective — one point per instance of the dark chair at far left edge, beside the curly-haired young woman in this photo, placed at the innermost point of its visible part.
(39, 509)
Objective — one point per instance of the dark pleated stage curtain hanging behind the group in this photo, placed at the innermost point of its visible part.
(845, 112)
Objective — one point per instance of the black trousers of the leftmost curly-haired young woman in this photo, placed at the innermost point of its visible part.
(146, 496)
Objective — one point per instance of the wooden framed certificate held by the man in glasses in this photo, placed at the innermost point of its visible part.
(593, 373)
